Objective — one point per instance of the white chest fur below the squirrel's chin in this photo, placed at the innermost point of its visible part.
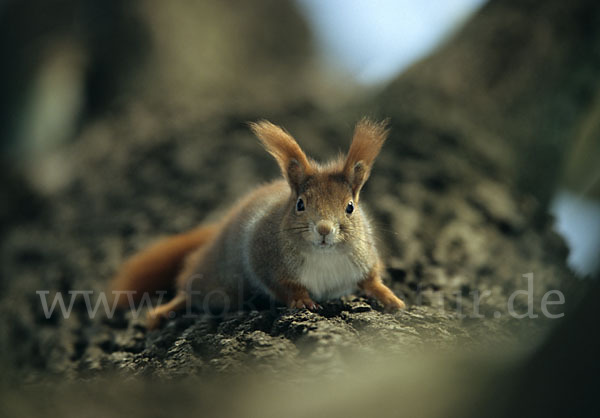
(329, 274)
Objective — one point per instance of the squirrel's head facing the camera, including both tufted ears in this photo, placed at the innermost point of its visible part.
(323, 207)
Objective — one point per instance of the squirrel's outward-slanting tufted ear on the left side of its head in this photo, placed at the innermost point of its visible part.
(286, 151)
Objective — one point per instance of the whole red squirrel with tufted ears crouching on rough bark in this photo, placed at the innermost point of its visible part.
(299, 240)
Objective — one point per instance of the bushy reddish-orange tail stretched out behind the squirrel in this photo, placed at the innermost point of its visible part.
(155, 268)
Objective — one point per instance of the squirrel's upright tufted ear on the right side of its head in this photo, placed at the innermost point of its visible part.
(367, 141)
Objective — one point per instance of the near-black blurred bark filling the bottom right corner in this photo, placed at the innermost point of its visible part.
(560, 378)
